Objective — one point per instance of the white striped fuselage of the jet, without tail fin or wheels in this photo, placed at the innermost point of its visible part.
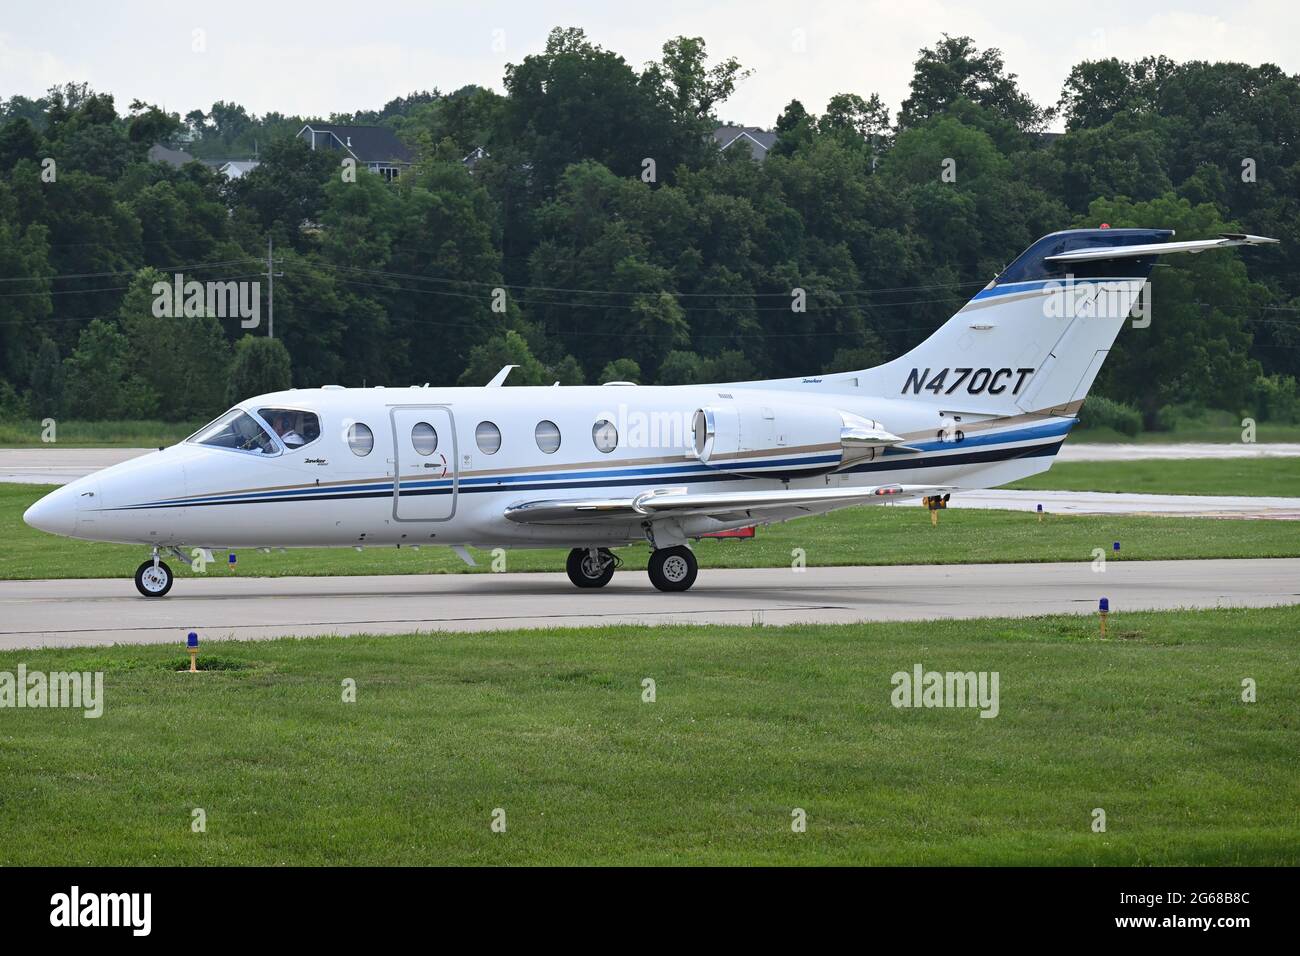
(326, 495)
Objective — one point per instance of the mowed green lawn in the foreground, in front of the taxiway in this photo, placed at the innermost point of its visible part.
(748, 725)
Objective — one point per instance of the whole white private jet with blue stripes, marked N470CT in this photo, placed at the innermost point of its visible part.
(989, 399)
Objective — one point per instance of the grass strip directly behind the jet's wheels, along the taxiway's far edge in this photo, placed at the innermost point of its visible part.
(887, 535)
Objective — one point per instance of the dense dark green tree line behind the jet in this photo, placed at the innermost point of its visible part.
(604, 235)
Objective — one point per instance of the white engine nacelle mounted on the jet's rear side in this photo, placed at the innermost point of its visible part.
(736, 438)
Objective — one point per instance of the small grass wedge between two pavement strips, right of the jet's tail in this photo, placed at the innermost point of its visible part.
(1238, 477)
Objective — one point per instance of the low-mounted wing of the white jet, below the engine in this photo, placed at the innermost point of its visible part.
(679, 503)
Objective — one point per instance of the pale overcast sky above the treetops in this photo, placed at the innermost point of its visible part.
(322, 58)
